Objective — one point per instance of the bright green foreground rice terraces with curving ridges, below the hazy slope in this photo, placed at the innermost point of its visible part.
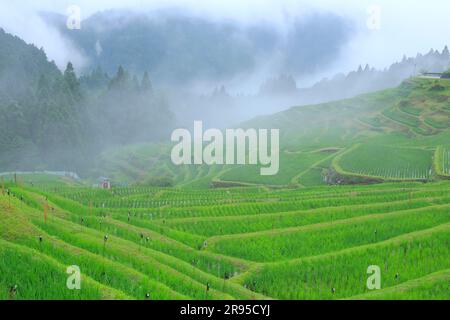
(241, 243)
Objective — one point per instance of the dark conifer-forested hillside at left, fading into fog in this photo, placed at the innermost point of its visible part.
(53, 120)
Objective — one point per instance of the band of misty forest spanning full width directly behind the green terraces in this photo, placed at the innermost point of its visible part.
(60, 120)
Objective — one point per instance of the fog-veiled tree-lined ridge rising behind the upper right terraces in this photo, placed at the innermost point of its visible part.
(221, 108)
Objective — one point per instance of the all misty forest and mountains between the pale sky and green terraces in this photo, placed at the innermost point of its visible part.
(144, 73)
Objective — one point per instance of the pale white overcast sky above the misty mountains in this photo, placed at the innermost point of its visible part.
(406, 27)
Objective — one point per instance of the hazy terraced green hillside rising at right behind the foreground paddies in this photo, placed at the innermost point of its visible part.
(389, 135)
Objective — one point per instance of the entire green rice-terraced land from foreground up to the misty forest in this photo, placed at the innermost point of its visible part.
(363, 182)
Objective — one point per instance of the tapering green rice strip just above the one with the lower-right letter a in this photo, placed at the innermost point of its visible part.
(291, 243)
